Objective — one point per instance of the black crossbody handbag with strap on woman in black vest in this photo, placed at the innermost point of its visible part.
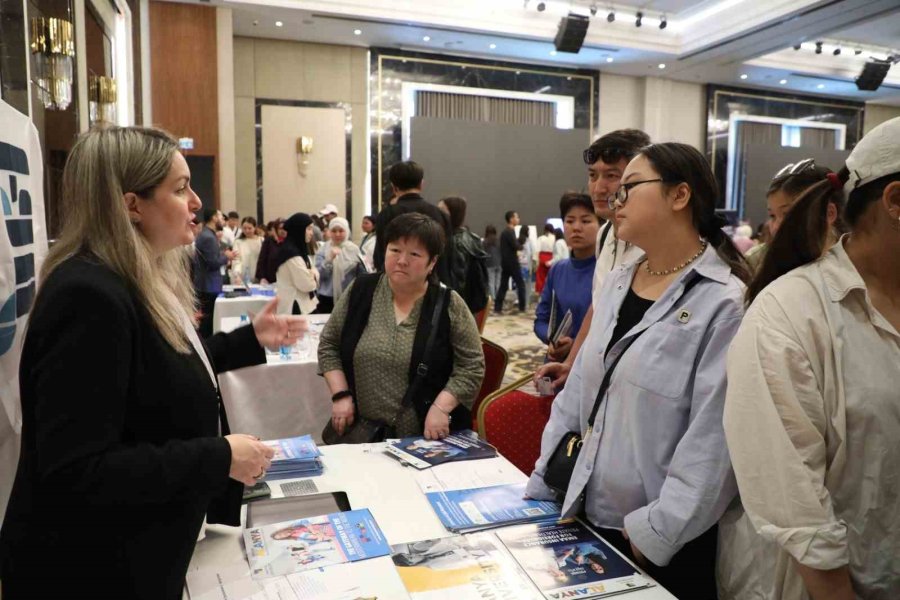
(367, 431)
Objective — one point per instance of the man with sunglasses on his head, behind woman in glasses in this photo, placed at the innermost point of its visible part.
(606, 160)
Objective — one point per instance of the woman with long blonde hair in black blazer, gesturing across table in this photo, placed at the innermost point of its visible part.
(125, 445)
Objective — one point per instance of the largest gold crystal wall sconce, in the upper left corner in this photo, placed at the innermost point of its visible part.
(52, 53)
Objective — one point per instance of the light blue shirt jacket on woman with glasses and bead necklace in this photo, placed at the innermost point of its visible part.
(656, 462)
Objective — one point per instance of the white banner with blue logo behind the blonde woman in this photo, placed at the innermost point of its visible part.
(23, 245)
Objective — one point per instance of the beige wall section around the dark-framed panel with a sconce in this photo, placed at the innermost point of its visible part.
(298, 71)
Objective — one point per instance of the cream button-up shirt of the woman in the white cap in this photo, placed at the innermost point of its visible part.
(812, 419)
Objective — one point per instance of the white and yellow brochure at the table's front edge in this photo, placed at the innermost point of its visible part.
(470, 567)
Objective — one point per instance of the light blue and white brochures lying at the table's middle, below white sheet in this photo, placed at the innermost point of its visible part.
(483, 508)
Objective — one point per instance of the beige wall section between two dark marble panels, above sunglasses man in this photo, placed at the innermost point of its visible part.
(668, 110)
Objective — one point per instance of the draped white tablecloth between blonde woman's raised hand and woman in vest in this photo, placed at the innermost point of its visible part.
(282, 398)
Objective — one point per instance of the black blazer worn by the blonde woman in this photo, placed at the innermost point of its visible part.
(121, 449)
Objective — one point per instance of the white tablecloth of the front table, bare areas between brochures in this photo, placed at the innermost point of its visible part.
(392, 492)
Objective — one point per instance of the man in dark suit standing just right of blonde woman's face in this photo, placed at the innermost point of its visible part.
(209, 260)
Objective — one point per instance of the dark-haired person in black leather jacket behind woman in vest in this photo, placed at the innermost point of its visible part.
(467, 260)
